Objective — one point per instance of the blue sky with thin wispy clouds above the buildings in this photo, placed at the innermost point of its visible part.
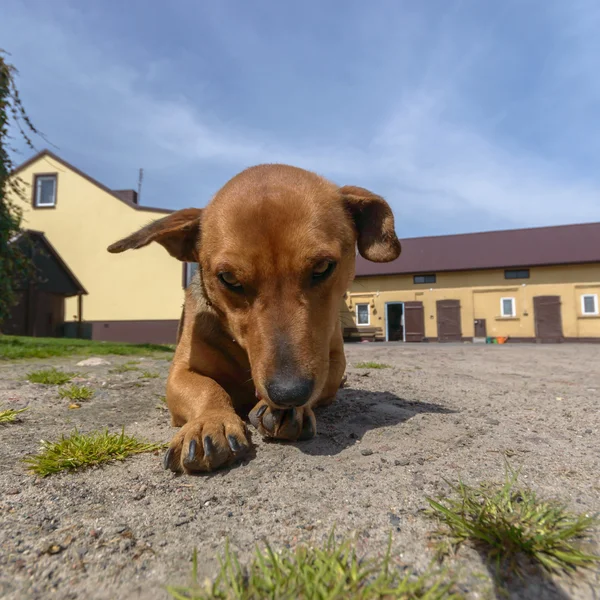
(466, 115)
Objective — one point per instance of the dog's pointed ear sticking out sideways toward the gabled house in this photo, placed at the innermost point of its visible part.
(179, 233)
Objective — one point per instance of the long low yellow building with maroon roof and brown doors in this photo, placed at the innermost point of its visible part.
(539, 284)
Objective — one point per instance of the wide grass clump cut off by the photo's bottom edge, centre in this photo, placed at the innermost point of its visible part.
(332, 572)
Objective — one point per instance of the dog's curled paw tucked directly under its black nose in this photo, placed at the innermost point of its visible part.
(293, 424)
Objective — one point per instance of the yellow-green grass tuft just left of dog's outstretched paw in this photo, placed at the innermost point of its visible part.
(79, 451)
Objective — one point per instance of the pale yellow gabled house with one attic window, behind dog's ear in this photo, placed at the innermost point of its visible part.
(135, 296)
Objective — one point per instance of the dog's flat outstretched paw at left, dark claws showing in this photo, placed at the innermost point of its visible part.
(212, 441)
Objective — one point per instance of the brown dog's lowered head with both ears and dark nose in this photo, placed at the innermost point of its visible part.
(277, 247)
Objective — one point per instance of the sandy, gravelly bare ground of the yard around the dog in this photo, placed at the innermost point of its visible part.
(127, 529)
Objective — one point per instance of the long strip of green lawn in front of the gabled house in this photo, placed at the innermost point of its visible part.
(17, 347)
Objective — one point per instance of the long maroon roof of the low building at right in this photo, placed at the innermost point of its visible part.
(558, 245)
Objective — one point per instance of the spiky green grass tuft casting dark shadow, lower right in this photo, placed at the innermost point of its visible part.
(511, 524)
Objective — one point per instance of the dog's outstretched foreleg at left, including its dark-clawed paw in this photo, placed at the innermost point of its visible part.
(212, 435)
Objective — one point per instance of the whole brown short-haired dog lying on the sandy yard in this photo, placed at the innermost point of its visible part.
(276, 249)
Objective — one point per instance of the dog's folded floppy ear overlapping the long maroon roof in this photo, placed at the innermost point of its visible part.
(374, 222)
